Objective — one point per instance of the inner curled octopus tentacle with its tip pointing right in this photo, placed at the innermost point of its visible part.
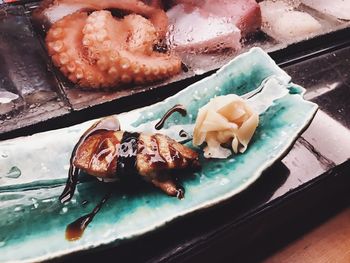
(133, 37)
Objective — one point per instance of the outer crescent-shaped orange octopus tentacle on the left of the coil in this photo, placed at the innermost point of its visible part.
(63, 44)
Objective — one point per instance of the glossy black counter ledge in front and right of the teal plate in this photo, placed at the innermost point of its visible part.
(308, 183)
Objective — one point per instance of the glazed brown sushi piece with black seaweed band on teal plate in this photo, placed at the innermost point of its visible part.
(108, 153)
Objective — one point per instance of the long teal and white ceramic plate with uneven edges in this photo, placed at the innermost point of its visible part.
(33, 169)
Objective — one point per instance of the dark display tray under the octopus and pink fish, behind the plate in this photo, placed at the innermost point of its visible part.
(39, 97)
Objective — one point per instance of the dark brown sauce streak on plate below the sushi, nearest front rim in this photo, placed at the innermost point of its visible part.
(76, 229)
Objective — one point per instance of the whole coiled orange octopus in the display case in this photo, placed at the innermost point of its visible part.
(101, 51)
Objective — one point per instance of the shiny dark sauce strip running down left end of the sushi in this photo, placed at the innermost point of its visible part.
(108, 124)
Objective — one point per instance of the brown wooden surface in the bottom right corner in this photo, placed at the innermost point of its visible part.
(329, 242)
